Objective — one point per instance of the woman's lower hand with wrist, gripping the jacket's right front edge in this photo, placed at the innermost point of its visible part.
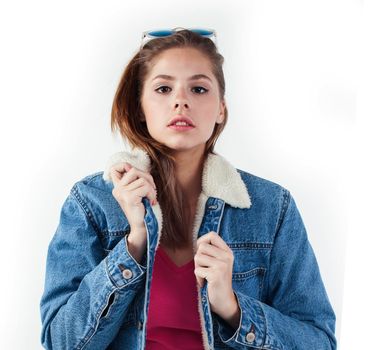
(214, 262)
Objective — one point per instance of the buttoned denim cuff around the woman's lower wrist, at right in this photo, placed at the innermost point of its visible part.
(252, 327)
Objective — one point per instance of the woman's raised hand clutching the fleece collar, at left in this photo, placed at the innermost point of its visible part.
(130, 186)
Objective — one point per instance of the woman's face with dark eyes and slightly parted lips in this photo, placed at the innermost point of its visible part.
(180, 84)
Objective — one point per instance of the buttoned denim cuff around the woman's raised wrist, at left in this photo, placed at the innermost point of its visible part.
(121, 267)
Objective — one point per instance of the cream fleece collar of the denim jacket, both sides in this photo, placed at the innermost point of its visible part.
(219, 179)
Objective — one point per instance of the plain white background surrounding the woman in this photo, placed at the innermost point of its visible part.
(298, 115)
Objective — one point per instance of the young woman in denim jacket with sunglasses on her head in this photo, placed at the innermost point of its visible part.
(171, 247)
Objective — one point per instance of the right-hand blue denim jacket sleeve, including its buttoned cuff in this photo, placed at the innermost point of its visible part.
(297, 313)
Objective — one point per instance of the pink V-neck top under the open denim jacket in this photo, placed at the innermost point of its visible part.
(173, 315)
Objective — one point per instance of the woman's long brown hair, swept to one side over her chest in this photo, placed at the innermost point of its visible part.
(127, 113)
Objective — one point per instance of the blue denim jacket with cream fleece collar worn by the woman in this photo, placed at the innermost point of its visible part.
(97, 295)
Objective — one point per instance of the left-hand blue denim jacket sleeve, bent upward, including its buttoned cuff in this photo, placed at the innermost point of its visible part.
(86, 294)
